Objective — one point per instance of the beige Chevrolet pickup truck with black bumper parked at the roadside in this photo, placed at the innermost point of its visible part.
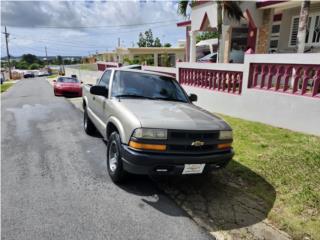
(152, 127)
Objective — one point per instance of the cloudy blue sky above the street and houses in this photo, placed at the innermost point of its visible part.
(73, 28)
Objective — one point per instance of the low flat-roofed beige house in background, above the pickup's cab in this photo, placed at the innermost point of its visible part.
(156, 56)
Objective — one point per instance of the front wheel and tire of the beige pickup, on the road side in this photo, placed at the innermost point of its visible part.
(114, 161)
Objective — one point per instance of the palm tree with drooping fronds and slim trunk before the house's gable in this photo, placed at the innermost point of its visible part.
(231, 8)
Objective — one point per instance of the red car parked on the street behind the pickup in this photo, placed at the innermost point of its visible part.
(67, 86)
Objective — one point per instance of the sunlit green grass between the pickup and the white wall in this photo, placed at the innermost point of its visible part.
(290, 162)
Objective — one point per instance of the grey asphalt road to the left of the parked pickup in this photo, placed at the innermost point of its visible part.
(54, 183)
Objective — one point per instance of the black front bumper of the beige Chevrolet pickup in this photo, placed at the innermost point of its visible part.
(151, 163)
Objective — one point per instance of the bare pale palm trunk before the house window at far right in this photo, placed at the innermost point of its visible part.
(303, 21)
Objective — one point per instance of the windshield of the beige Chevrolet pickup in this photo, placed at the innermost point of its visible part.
(143, 85)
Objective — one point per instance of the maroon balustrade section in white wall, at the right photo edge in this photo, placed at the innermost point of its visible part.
(298, 79)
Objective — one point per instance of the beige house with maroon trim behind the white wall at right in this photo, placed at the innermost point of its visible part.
(268, 27)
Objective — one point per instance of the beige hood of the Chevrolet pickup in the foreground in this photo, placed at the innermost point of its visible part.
(172, 115)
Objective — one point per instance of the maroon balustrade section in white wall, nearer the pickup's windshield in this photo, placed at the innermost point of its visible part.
(217, 80)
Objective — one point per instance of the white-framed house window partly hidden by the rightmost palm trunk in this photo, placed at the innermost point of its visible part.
(312, 34)
